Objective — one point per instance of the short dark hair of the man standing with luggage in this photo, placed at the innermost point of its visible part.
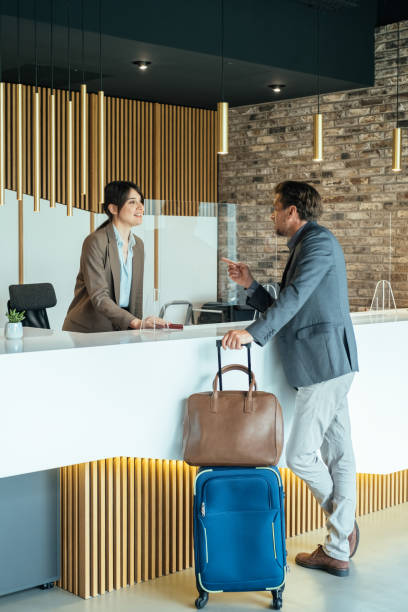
(305, 197)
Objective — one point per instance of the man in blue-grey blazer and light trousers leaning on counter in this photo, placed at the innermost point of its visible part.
(315, 338)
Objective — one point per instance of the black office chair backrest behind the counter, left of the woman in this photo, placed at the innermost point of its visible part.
(34, 299)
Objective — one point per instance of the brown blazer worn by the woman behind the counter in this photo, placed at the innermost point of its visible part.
(95, 307)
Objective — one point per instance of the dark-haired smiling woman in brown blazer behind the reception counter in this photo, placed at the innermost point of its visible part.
(109, 287)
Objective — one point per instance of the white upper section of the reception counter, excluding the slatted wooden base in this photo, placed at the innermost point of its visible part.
(71, 398)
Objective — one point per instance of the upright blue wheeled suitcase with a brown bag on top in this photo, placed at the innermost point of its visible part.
(239, 532)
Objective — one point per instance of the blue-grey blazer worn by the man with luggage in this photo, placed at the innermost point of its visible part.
(311, 317)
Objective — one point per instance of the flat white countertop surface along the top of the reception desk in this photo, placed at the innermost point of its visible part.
(50, 340)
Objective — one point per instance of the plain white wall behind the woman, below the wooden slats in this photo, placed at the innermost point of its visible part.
(52, 247)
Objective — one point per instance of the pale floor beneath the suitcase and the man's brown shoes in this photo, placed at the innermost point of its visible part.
(378, 582)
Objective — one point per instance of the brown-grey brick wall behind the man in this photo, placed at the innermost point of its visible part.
(273, 141)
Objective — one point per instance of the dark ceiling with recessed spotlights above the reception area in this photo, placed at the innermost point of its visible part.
(265, 41)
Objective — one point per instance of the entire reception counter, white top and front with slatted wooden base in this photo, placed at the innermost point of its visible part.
(108, 409)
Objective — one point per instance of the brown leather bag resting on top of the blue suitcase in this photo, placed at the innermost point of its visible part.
(242, 428)
